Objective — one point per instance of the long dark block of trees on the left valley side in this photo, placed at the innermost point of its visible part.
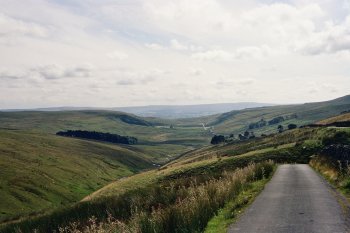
(106, 137)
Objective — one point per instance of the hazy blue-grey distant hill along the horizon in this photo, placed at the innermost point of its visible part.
(162, 111)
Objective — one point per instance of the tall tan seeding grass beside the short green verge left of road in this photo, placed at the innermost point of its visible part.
(178, 208)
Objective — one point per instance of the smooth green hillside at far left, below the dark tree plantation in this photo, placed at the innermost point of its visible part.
(39, 172)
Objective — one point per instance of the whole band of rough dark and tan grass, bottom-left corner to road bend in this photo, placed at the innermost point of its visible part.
(181, 205)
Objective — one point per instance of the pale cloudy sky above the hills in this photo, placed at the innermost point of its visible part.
(109, 53)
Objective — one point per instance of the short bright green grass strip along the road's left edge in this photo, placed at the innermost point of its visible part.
(231, 211)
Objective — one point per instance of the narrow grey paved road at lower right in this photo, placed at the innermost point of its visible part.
(295, 200)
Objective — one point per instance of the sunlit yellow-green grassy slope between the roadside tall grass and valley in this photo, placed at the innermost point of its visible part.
(213, 158)
